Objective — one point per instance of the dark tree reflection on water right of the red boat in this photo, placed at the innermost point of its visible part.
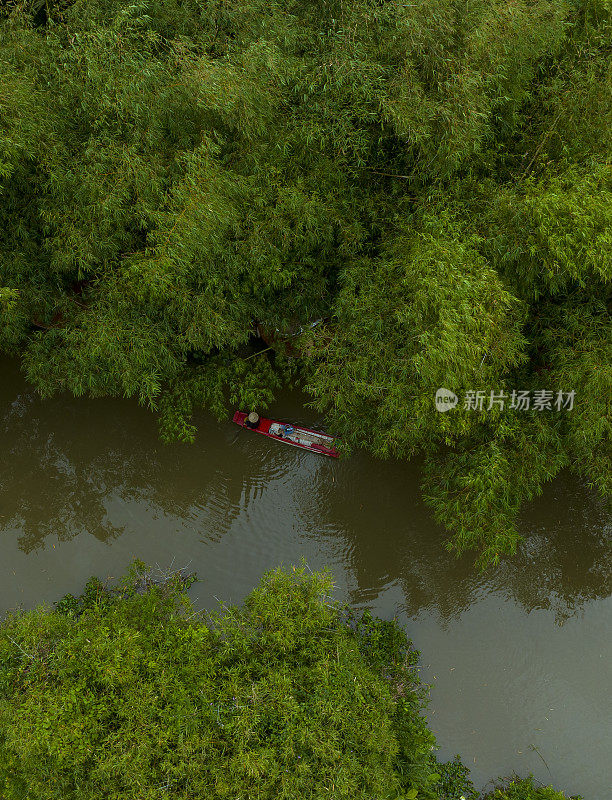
(563, 562)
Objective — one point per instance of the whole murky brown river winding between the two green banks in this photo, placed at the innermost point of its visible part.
(519, 657)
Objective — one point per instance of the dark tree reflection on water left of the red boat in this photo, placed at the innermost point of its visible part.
(66, 462)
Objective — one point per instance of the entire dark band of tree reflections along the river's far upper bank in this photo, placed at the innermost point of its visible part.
(73, 467)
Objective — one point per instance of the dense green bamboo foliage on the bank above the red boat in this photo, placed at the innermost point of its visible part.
(432, 179)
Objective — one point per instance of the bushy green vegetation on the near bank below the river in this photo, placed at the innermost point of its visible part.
(130, 694)
